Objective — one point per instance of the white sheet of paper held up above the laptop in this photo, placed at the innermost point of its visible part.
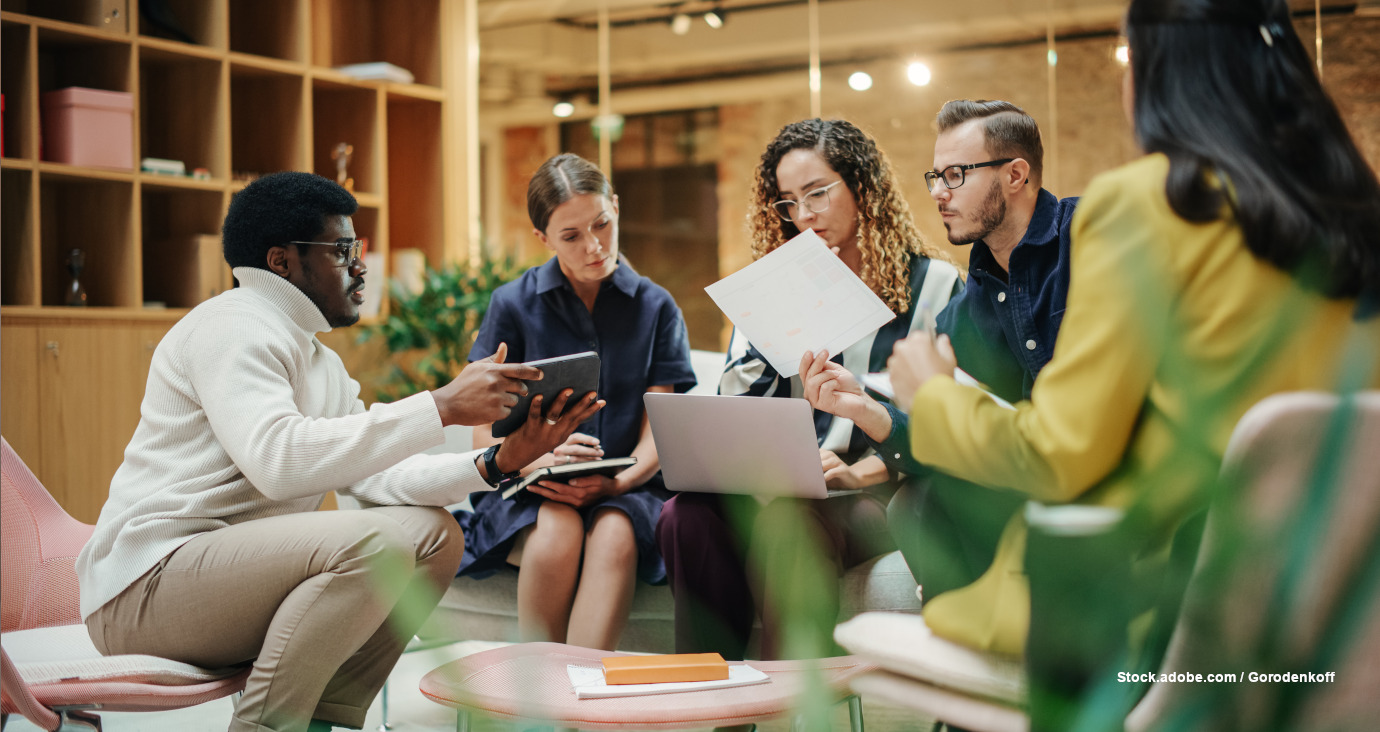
(800, 298)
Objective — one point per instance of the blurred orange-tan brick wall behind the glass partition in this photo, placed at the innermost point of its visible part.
(1092, 132)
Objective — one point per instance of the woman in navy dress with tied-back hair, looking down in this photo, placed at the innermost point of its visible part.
(582, 546)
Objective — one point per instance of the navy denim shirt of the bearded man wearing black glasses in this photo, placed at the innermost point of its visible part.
(1004, 332)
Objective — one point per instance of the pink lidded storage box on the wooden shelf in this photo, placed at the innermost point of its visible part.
(89, 128)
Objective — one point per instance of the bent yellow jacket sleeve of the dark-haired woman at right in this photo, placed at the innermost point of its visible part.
(1087, 403)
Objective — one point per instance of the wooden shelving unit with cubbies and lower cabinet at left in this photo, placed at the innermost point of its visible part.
(252, 88)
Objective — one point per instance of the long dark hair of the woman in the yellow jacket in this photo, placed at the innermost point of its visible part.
(1225, 88)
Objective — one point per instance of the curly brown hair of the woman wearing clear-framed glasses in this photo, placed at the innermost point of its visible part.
(887, 233)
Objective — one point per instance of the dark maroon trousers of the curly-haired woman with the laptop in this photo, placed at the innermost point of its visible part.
(732, 560)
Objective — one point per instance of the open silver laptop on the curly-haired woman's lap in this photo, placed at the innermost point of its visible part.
(754, 445)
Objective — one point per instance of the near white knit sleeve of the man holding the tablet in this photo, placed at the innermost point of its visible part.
(249, 381)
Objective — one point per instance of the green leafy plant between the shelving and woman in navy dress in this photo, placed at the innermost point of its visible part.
(430, 334)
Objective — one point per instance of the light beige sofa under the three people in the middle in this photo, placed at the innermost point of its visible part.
(488, 610)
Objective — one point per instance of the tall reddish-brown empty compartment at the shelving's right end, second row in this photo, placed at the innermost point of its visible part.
(415, 177)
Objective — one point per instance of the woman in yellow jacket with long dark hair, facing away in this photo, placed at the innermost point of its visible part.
(1239, 259)
